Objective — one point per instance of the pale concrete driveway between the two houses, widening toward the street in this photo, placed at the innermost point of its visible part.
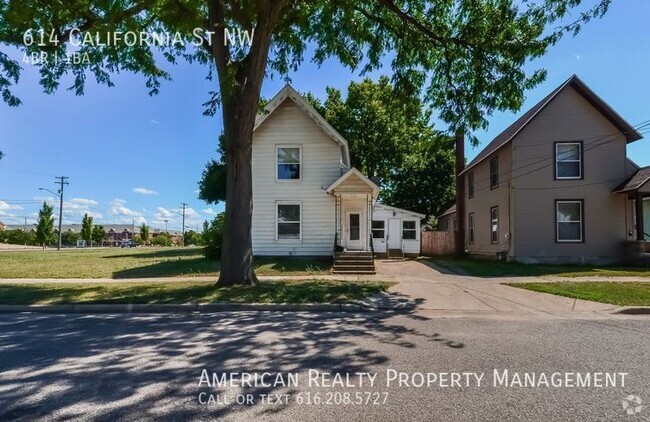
(437, 292)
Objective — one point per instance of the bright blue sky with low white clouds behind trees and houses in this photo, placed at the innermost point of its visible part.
(134, 157)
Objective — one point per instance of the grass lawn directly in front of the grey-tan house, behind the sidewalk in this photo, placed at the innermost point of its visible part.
(486, 268)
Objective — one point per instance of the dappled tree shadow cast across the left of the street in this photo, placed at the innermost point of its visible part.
(110, 367)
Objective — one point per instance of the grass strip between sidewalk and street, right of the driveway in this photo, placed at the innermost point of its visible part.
(623, 294)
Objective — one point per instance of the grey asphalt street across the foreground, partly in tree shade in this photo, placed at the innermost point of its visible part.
(151, 367)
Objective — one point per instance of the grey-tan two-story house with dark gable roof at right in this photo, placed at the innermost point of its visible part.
(556, 185)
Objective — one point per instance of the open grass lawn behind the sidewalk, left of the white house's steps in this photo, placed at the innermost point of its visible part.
(138, 263)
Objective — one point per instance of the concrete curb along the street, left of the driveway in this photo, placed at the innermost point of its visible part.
(185, 308)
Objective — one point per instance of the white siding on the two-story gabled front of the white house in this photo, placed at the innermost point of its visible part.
(320, 167)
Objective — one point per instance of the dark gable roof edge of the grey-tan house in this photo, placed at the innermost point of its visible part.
(576, 83)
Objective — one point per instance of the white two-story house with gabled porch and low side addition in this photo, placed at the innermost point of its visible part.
(307, 199)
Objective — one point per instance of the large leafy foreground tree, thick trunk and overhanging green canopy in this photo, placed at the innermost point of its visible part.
(466, 58)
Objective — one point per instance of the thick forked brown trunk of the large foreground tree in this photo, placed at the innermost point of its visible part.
(240, 87)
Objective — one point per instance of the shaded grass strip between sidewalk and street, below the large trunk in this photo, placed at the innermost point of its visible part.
(316, 291)
